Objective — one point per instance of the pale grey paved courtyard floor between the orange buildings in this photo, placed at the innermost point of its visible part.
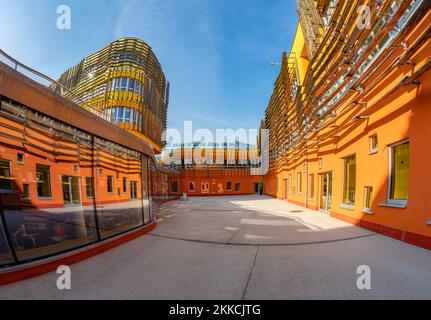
(245, 247)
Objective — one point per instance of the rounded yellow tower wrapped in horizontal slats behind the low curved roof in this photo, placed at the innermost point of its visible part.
(124, 83)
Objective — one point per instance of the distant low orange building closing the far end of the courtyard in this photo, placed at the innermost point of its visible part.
(216, 170)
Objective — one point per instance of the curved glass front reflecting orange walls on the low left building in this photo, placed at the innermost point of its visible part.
(62, 188)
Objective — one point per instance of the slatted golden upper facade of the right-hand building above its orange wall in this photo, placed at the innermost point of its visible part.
(311, 107)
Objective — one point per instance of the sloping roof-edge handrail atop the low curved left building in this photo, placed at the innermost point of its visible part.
(53, 84)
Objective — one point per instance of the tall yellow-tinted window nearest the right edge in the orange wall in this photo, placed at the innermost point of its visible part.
(400, 171)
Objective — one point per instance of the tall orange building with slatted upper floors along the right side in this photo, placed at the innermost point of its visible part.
(349, 118)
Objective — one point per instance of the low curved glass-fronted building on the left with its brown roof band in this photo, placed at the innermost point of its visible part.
(71, 183)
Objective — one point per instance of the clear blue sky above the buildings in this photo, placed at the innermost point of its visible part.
(217, 54)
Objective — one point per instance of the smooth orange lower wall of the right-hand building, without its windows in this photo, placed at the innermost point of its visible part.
(403, 114)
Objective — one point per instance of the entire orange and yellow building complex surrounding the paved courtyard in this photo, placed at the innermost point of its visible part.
(349, 129)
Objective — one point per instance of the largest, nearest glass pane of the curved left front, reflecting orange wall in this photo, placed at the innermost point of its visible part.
(46, 214)
